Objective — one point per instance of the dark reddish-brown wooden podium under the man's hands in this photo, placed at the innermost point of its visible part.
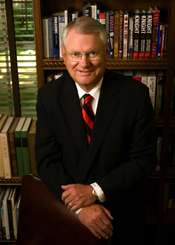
(45, 221)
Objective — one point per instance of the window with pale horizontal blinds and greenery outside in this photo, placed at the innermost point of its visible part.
(26, 59)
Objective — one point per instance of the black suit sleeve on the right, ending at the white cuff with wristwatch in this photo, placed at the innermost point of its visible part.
(140, 152)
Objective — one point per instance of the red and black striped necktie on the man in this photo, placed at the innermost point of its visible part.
(88, 116)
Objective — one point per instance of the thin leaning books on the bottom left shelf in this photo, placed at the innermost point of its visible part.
(9, 212)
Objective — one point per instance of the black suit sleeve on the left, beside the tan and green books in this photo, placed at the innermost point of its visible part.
(48, 151)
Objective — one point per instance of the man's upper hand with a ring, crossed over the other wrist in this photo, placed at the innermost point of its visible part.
(76, 196)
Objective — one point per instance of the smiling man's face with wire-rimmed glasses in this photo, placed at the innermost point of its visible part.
(84, 56)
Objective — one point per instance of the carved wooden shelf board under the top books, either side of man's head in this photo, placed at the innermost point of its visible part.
(130, 64)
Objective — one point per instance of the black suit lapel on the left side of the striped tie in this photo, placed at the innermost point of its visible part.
(72, 111)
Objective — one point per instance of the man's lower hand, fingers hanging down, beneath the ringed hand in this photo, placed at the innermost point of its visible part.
(98, 220)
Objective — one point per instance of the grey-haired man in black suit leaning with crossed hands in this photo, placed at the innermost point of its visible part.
(97, 173)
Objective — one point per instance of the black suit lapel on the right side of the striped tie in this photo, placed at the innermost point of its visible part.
(108, 103)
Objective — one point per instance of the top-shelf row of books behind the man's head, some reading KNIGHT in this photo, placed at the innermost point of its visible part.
(131, 34)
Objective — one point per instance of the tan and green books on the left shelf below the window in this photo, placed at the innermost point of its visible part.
(17, 146)
